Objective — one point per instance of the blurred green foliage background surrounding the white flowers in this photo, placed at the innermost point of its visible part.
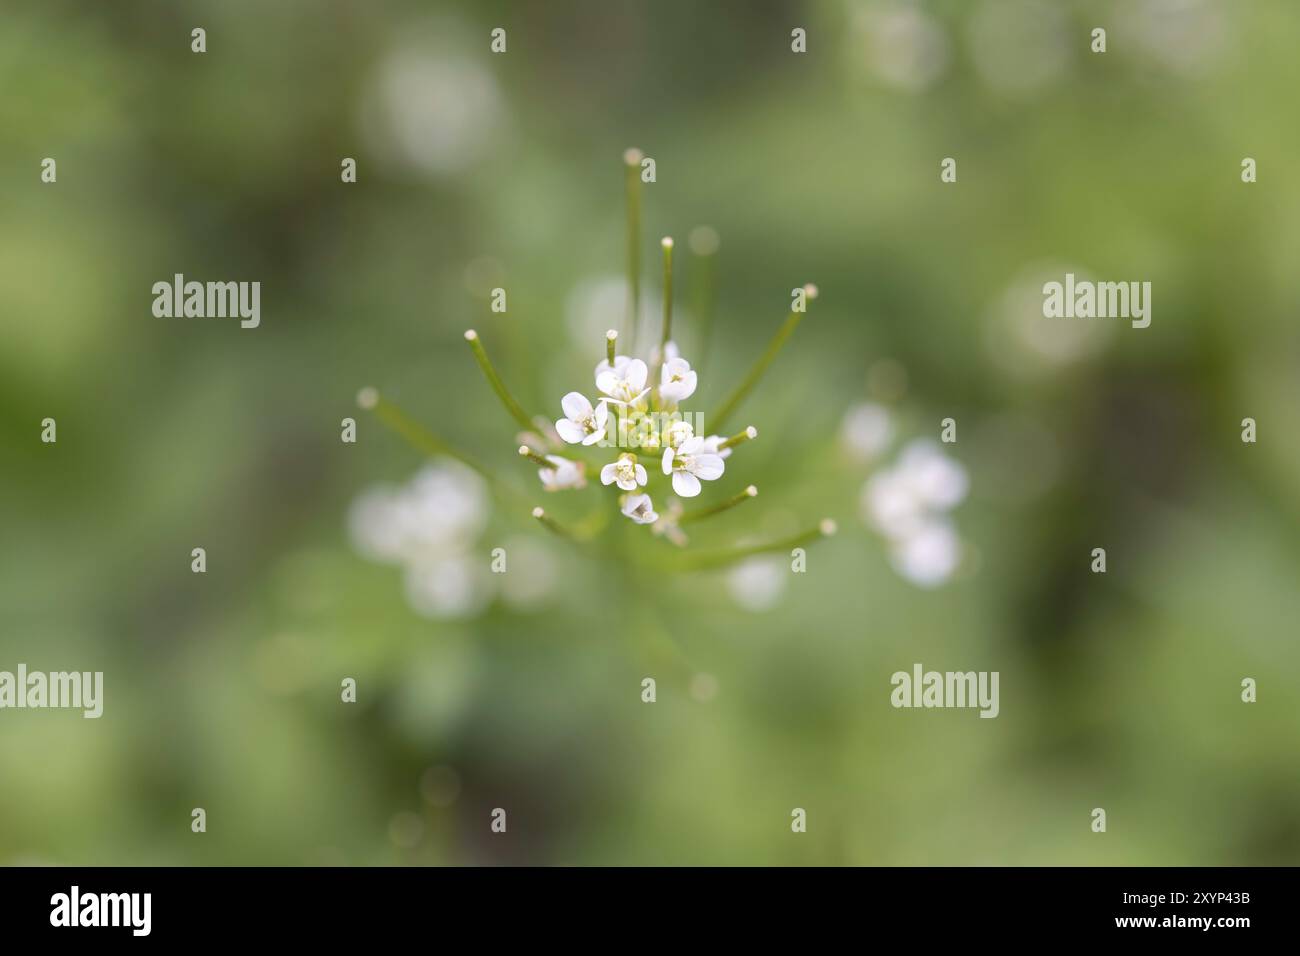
(475, 171)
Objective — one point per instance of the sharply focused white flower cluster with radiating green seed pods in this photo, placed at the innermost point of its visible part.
(652, 449)
